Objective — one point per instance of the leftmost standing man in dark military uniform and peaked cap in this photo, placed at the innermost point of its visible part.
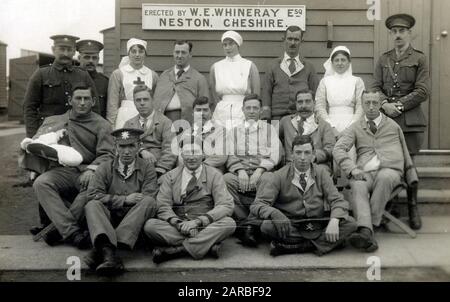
(50, 87)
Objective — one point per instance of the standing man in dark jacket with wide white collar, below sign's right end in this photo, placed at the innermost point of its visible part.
(286, 76)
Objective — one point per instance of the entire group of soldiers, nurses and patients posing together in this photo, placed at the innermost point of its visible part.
(170, 161)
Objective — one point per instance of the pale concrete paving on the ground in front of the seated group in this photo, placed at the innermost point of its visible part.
(430, 250)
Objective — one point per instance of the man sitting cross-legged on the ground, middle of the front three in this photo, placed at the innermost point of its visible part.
(193, 210)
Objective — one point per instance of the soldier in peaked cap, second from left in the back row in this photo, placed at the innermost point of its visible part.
(89, 57)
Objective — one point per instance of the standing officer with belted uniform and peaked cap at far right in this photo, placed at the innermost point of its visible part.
(402, 77)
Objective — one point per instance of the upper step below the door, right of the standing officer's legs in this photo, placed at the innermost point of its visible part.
(434, 177)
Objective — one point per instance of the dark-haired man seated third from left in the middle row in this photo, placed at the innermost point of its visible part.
(211, 134)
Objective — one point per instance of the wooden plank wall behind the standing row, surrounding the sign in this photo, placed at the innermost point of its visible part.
(351, 28)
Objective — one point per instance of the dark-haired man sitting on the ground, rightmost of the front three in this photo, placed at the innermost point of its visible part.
(302, 210)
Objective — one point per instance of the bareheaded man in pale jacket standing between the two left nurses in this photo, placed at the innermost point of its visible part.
(179, 86)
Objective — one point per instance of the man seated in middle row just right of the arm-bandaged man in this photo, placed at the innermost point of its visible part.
(157, 137)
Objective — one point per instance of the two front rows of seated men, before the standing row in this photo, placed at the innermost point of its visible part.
(197, 206)
